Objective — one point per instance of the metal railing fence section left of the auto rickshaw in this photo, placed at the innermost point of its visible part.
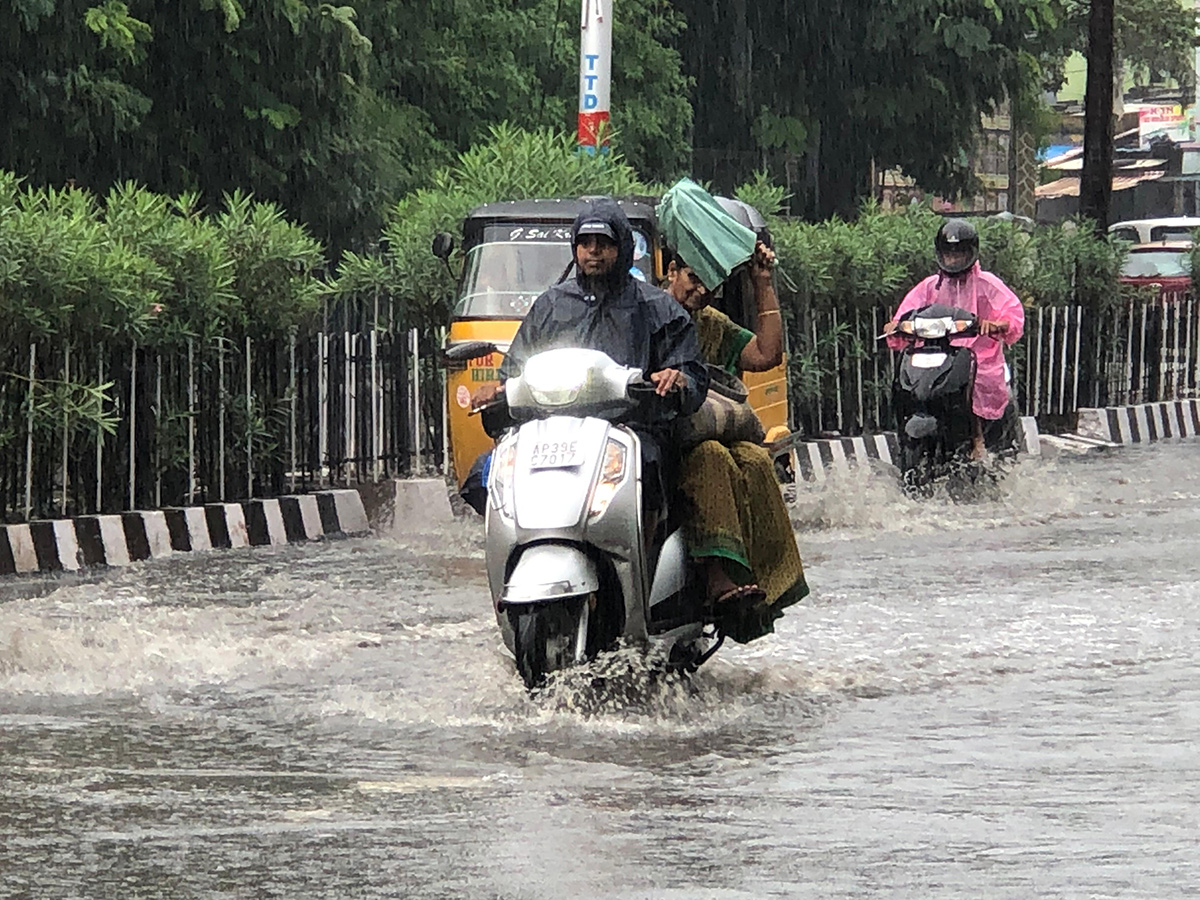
(226, 422)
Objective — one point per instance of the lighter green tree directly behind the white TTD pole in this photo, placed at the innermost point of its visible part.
(463, 67)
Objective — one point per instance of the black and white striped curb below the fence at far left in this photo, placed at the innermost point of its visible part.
(73, 544)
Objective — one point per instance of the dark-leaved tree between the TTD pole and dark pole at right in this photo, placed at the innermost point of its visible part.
(903, 85)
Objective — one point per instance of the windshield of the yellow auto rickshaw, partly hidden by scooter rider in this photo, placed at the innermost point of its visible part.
(503, 278)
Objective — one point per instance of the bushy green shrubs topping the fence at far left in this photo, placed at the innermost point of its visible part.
(148, 268)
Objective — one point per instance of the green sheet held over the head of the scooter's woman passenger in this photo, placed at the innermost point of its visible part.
(709, 238)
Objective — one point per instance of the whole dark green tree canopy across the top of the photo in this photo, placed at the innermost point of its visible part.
(337, 112)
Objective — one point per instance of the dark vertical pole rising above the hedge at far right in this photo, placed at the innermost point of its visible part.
(1096, 184)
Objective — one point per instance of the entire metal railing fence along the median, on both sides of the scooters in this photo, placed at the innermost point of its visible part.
(358, 401)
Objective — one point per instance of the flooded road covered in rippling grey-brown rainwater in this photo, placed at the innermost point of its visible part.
(994, 700)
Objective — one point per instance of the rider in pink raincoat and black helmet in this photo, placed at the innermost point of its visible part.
(961, 283)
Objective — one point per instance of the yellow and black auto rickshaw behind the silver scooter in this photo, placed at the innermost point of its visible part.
(513, 253)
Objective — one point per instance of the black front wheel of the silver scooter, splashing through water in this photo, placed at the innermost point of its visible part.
(549, 638)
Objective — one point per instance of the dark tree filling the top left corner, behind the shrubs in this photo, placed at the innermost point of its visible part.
(197, 94)
